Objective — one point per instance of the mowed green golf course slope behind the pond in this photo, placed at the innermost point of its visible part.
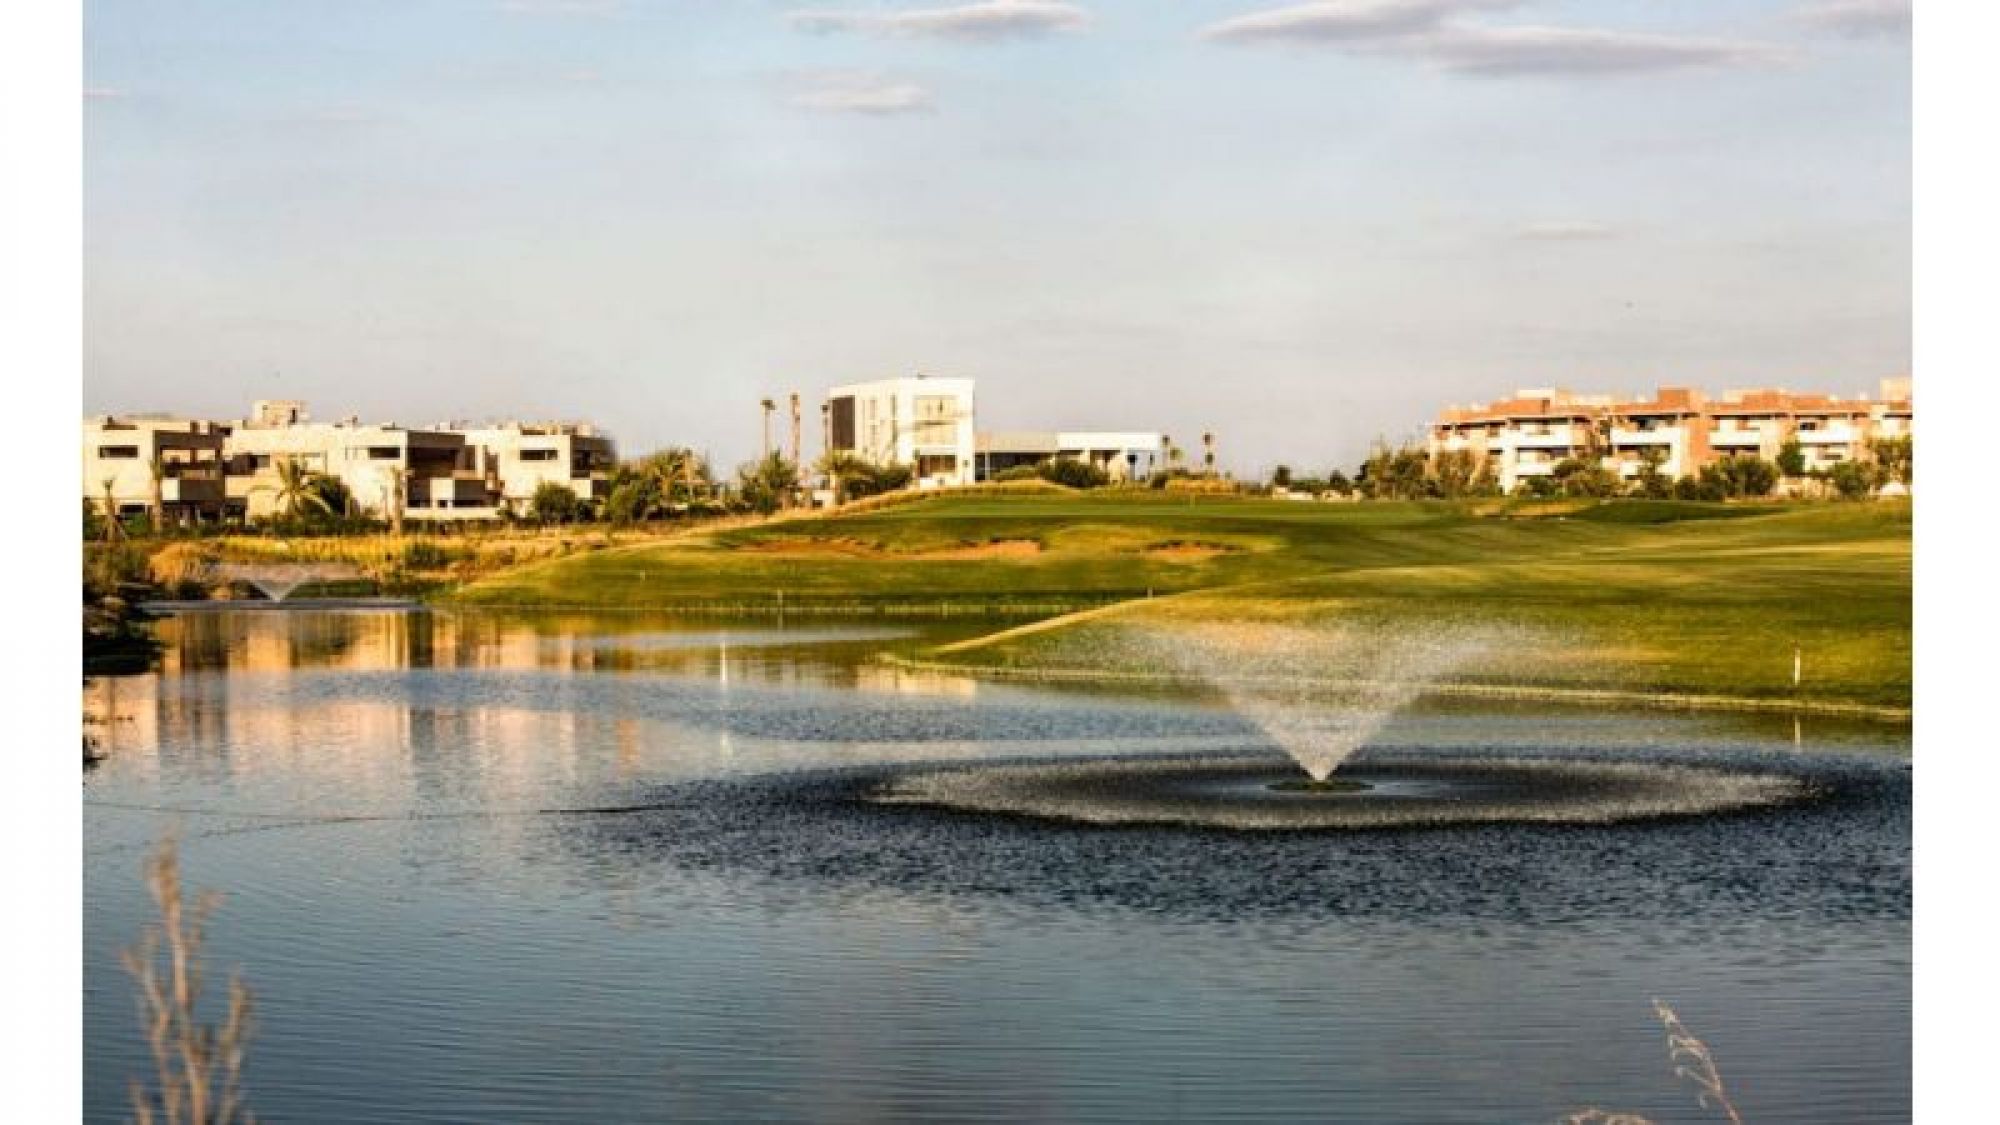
(1683, 600)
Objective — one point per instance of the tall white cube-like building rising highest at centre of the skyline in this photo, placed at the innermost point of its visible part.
(919, 421)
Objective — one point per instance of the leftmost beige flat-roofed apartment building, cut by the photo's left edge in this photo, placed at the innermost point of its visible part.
(145, 459)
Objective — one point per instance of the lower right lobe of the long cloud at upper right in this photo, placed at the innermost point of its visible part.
(1585, 51)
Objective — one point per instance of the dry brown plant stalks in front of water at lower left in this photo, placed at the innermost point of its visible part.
(197, 1066)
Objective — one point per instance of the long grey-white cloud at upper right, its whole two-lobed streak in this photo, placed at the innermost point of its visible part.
(1435, 31)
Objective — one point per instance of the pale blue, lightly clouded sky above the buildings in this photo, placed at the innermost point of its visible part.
(1303, 227)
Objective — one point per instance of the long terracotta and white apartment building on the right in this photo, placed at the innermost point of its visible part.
(1681, 429)
